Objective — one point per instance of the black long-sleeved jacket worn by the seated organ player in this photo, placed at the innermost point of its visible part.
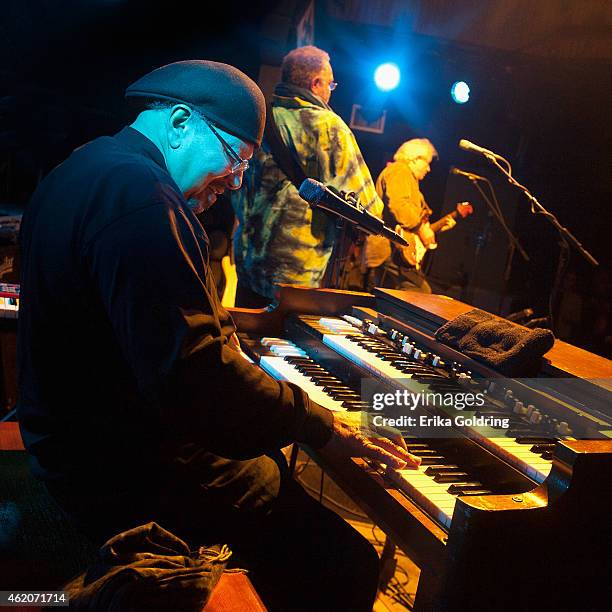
(123, 344)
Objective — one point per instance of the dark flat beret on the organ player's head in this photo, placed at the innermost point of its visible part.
(224, 94)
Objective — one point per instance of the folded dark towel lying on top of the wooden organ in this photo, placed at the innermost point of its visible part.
(511, 349)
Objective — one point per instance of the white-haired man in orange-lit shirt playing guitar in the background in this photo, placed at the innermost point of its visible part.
(404, 206)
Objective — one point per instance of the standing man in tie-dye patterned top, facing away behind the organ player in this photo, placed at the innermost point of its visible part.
(280, 239)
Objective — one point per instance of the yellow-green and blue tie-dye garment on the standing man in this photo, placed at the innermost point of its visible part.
(279, 238)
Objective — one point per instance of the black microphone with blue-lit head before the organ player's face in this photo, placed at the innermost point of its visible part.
(320, 196)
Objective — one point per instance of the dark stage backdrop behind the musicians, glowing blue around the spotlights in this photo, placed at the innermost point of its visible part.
(541, 79)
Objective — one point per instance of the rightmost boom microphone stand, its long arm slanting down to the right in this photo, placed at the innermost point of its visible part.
(566, 238)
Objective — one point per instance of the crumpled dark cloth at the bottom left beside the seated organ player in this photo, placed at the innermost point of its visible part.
(148, 568)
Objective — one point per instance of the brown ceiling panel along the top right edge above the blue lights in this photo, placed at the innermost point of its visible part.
(546, 28)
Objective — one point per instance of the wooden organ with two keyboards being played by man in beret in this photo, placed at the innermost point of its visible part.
(496, 518)
